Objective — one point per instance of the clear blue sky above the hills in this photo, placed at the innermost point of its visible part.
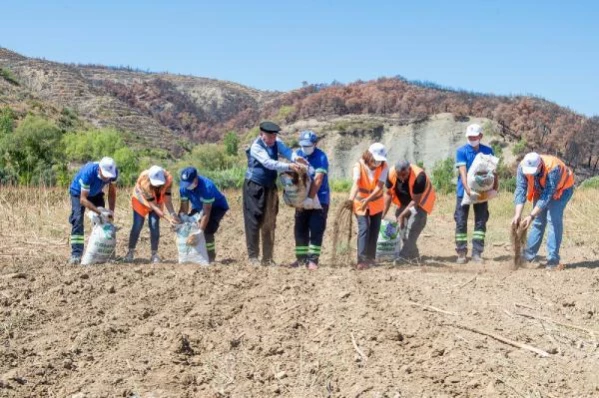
(548, 48)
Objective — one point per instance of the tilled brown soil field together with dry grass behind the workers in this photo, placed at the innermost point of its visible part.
(433, 329)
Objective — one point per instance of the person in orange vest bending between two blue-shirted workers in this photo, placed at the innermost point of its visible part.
(151, 194)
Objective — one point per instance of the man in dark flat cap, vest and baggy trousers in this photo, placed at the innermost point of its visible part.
(260, 199)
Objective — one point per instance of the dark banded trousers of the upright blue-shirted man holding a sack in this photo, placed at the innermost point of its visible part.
(481, 216)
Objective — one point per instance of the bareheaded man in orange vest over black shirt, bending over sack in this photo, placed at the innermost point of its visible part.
(410, 189)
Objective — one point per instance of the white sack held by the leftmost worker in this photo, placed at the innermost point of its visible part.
(102, 241)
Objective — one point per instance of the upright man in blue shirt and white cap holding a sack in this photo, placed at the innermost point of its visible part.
(464, 158)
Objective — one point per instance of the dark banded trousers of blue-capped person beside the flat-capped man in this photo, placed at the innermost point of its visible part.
(309, 231)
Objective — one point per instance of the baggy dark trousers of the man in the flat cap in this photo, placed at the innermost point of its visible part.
(260, 208)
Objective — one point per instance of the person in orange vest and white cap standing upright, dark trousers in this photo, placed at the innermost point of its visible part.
(366, 195)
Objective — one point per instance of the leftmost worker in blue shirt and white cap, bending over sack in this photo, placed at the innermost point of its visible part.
(87, 192)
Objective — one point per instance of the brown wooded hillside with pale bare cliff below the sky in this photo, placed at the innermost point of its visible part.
(172, 111)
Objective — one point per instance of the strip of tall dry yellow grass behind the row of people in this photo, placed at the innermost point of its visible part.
(34, 222)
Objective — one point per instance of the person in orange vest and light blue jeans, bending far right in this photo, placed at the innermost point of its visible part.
(548, 183)
